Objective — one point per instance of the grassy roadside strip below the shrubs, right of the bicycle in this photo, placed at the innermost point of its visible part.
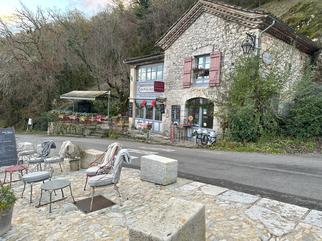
(272, 146)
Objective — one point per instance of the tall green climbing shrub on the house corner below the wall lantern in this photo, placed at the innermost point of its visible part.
(251, 107)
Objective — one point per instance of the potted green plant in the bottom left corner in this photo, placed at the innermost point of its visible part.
(7, 200)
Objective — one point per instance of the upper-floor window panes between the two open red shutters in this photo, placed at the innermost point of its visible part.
(201, 69)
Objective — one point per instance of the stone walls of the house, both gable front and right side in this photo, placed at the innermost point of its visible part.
(210, 33)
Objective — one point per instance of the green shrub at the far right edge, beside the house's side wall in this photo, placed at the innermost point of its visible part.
(304, 119)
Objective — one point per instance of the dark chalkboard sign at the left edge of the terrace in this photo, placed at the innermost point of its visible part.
(8, 151)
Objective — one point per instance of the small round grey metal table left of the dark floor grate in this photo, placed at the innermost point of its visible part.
(53, 185)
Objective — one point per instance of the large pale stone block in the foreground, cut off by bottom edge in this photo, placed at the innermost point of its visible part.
(177, 220)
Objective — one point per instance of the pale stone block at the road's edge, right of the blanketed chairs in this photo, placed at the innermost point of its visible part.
(158, 169)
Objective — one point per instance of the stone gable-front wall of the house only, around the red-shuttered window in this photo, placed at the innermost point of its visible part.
(206, 34)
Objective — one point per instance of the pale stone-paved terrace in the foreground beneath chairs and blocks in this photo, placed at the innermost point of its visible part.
(230, 215)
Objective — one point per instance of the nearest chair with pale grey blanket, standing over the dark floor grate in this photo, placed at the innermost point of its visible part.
(111, 178)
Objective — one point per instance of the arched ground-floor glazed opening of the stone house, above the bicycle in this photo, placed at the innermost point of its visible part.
(202, 111)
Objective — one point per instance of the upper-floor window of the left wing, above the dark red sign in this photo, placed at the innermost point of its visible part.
(150, 72)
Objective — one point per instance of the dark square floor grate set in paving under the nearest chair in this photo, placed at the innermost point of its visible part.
(99, 202)
